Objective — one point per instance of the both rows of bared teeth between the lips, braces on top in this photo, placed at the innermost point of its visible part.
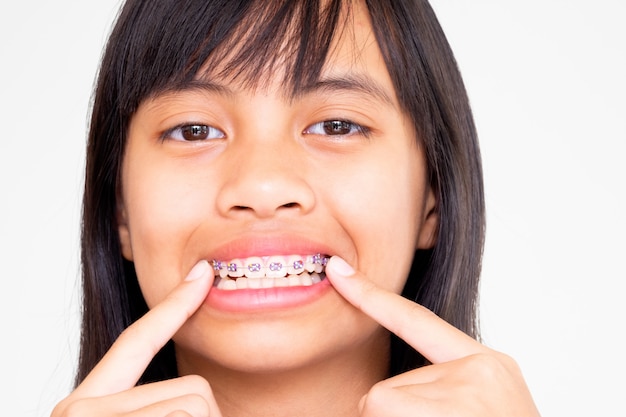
(270, 271)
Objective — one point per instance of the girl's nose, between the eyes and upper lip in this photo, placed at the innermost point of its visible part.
(265, 179)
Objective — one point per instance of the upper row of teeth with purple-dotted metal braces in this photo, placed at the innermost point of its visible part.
(270, 266)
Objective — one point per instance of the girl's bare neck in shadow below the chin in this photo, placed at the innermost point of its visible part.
(332, 387)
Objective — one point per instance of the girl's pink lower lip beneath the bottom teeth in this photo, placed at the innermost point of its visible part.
(278, 298)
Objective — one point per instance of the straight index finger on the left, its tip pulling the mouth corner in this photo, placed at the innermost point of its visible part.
(129, 356)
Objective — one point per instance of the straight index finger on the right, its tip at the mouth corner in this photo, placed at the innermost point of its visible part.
(437, 340)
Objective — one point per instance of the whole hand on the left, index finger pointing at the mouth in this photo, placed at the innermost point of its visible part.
(110, 389)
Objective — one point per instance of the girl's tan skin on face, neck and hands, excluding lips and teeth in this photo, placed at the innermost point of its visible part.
(183, 201)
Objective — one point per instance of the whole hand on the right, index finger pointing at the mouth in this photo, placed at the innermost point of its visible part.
(466, 378)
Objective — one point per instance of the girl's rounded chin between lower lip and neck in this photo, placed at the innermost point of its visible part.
(279, 344)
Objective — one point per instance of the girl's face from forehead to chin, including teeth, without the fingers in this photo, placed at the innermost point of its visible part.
(260, 180)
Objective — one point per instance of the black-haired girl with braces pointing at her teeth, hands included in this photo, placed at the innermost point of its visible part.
(278, 194)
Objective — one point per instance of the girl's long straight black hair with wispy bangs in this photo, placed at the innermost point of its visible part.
(161, 45)
